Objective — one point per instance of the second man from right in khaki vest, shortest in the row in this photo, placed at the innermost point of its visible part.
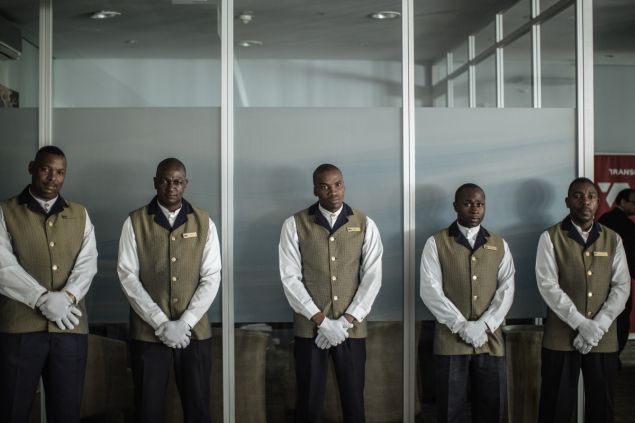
(467, 283)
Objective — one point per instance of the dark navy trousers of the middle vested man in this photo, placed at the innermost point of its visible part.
(311, 363)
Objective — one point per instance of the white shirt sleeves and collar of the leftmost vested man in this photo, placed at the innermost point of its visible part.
(19, 285)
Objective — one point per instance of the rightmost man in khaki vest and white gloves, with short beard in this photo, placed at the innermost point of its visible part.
(583, 277)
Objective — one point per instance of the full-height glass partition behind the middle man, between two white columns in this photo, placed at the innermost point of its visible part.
(320, 85)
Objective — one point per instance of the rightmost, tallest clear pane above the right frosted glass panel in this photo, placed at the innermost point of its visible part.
(558, 60)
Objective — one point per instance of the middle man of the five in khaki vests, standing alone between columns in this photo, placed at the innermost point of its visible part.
(330, 266)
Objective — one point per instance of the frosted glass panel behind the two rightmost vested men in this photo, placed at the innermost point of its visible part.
(523, 159)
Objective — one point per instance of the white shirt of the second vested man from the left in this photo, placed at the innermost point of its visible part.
(140, 300)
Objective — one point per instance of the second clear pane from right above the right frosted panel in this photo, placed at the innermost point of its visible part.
(518, 74)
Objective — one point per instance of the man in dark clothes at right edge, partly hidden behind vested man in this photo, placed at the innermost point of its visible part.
(618, 220)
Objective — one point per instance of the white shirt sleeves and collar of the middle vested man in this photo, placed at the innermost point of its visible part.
(291, 269)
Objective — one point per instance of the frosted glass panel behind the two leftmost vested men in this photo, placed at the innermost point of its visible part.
(112, 157)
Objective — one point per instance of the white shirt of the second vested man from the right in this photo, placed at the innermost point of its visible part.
(444, 310)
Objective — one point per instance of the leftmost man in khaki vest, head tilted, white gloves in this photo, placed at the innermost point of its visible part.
(48, 258)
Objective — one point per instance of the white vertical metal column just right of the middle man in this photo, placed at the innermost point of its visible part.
(409, 183)
